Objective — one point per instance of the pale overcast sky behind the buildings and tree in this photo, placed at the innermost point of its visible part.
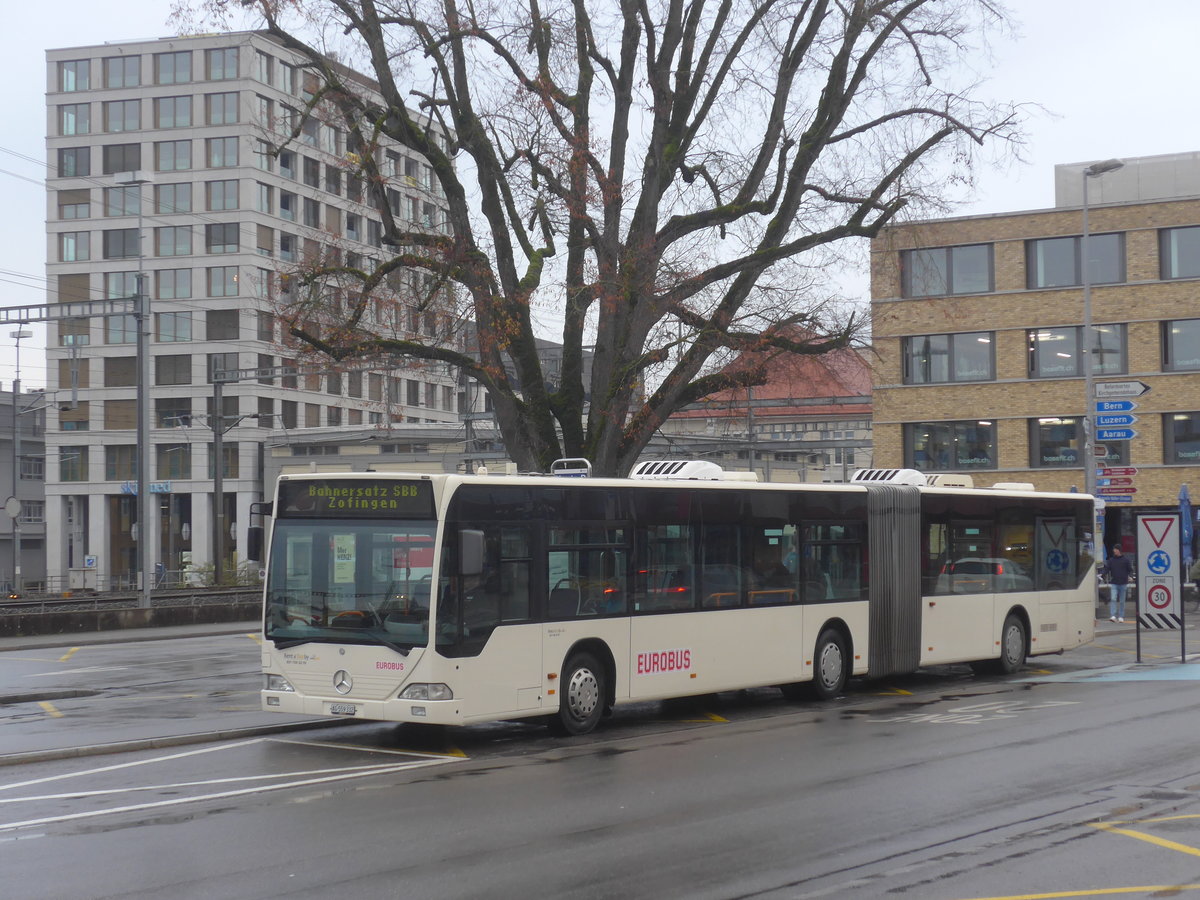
(1114, 80)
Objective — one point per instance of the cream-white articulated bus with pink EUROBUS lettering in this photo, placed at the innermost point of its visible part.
(458, 599)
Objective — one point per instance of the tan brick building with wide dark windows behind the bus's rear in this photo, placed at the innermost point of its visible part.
(979, 323)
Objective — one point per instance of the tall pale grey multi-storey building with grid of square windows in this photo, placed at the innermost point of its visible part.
(178, 141)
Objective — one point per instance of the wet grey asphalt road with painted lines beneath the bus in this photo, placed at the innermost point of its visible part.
(1077, 776)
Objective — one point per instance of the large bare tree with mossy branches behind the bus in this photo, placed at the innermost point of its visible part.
(668, 178)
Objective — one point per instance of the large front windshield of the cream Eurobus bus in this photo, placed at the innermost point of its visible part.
(350, 583)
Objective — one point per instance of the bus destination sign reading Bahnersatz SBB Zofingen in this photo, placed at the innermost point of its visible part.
(356, 499)
